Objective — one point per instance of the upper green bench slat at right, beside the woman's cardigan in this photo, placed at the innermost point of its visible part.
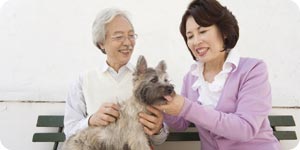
(282, 121)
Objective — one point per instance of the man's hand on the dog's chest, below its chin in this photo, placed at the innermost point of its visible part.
(152, 123)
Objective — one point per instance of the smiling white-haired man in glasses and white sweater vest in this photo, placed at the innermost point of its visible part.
(92, 100)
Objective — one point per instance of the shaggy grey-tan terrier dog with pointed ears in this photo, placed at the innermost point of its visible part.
(149, 87)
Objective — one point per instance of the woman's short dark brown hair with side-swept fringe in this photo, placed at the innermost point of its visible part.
(211, 12)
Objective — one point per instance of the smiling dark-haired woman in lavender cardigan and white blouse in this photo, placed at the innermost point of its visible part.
(227, 97)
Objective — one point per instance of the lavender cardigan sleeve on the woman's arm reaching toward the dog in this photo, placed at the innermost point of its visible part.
(253, 105)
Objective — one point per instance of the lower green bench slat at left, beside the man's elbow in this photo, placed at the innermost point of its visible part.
(48, 137)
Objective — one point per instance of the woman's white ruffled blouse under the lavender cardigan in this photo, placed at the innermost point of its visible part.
(209, 93)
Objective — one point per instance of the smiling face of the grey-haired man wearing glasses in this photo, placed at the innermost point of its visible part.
(119, 41)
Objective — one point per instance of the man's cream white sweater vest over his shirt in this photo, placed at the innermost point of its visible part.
(100, 87)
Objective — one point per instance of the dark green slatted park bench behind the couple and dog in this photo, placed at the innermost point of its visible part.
(189, 135)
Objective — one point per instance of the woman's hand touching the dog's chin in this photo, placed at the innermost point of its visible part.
(173, 106)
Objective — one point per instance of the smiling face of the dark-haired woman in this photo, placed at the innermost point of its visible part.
(206, 43)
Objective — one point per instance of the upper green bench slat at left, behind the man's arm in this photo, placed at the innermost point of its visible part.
(50, 121)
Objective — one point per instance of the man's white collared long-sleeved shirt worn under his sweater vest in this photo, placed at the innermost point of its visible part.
(76, 116)
